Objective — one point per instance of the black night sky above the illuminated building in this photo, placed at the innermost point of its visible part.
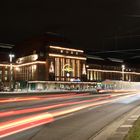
(89, 24)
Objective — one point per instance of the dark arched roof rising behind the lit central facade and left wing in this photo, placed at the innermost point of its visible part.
(39, 43)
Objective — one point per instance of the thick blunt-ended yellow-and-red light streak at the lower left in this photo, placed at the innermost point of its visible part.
(18, 125)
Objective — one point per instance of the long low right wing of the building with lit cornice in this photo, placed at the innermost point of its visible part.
(100, 70)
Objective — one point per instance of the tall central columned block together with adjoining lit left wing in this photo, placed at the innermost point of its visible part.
(58, 64)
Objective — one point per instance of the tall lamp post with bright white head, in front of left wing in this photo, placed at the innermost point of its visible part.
(11, 56)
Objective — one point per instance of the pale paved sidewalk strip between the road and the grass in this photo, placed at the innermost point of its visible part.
(119, 129)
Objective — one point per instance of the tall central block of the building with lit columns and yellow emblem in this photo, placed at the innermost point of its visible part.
(66, 64)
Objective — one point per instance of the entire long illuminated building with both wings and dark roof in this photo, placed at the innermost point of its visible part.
(41, 64)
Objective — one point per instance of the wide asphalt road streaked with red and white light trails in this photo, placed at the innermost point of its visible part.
(61, 117)
